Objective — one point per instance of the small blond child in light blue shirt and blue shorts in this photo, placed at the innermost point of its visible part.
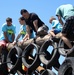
(56, 27)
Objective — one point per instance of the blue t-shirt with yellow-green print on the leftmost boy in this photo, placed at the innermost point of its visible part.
(9, 30)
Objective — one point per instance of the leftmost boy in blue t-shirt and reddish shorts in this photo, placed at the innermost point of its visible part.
(8, 33)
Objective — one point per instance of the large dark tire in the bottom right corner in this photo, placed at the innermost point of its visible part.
(67, 67)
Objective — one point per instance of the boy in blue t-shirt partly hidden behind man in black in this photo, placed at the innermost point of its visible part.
(23, 30)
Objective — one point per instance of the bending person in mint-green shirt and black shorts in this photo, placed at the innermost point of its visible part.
(66, 12)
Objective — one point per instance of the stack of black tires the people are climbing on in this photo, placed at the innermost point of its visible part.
(27, 60)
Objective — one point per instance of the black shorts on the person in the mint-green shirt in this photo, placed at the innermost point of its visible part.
(68, 26)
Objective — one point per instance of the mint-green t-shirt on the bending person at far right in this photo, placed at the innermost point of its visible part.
(65, 11)
